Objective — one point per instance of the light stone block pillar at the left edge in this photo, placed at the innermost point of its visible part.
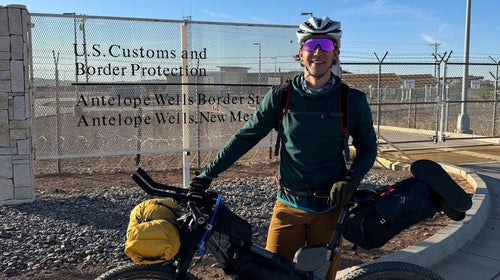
(16, 153)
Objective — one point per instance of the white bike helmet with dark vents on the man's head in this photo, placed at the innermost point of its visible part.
(319, 26)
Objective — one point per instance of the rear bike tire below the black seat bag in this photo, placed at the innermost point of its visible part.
(392, 271)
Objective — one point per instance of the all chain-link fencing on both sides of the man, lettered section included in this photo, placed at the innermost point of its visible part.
(140, 88)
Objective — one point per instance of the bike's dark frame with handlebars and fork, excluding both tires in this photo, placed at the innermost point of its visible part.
(198, 232)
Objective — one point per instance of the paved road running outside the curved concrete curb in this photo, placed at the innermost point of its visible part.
(474, 245)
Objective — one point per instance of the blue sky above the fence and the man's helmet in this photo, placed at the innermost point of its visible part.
(400, 27)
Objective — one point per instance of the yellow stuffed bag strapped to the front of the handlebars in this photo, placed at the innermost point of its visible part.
(152, 233)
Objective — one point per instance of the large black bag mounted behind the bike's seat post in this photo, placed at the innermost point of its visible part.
(391, 210)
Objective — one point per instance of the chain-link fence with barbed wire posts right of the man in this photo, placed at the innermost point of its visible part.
(435, 106)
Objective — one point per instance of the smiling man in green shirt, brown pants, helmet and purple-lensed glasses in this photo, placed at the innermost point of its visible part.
(313, 179)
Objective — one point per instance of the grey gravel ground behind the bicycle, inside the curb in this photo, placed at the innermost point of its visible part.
(85, 228)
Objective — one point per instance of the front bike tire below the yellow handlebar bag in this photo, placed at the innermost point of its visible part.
(141, 271)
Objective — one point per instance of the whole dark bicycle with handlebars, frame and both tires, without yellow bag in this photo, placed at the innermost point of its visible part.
(208, 225)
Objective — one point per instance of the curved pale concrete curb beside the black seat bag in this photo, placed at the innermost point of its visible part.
(451, 238)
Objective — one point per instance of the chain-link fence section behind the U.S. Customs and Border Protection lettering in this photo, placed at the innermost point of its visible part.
(113, 86)
